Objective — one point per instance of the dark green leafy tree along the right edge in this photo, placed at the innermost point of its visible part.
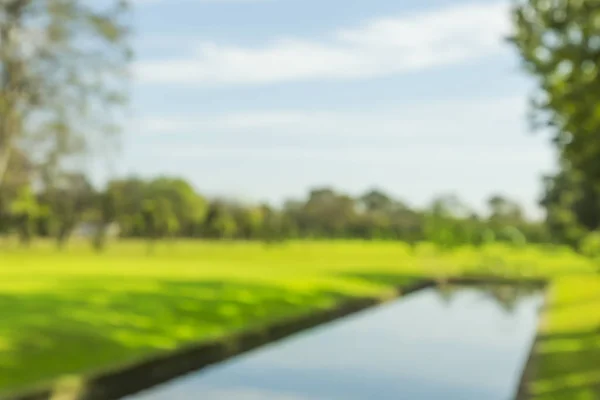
(559, 43)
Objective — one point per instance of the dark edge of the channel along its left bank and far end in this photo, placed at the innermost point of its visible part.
(132, 378)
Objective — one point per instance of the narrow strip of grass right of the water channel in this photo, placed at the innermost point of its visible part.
(567, 356)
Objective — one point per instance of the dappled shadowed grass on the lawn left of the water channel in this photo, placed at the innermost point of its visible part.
(91, 325)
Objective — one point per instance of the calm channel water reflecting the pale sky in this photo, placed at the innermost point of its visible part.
(454, 343)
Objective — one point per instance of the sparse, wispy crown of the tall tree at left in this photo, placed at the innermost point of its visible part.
(62, 72)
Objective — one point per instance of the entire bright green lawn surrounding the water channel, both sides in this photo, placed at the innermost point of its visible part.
(75, 311)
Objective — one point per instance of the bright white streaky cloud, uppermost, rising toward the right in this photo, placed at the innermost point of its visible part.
(381, 47)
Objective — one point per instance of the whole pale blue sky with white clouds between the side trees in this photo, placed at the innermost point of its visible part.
(263, 99)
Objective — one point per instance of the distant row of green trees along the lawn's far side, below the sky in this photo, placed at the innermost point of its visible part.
(164, 208)
